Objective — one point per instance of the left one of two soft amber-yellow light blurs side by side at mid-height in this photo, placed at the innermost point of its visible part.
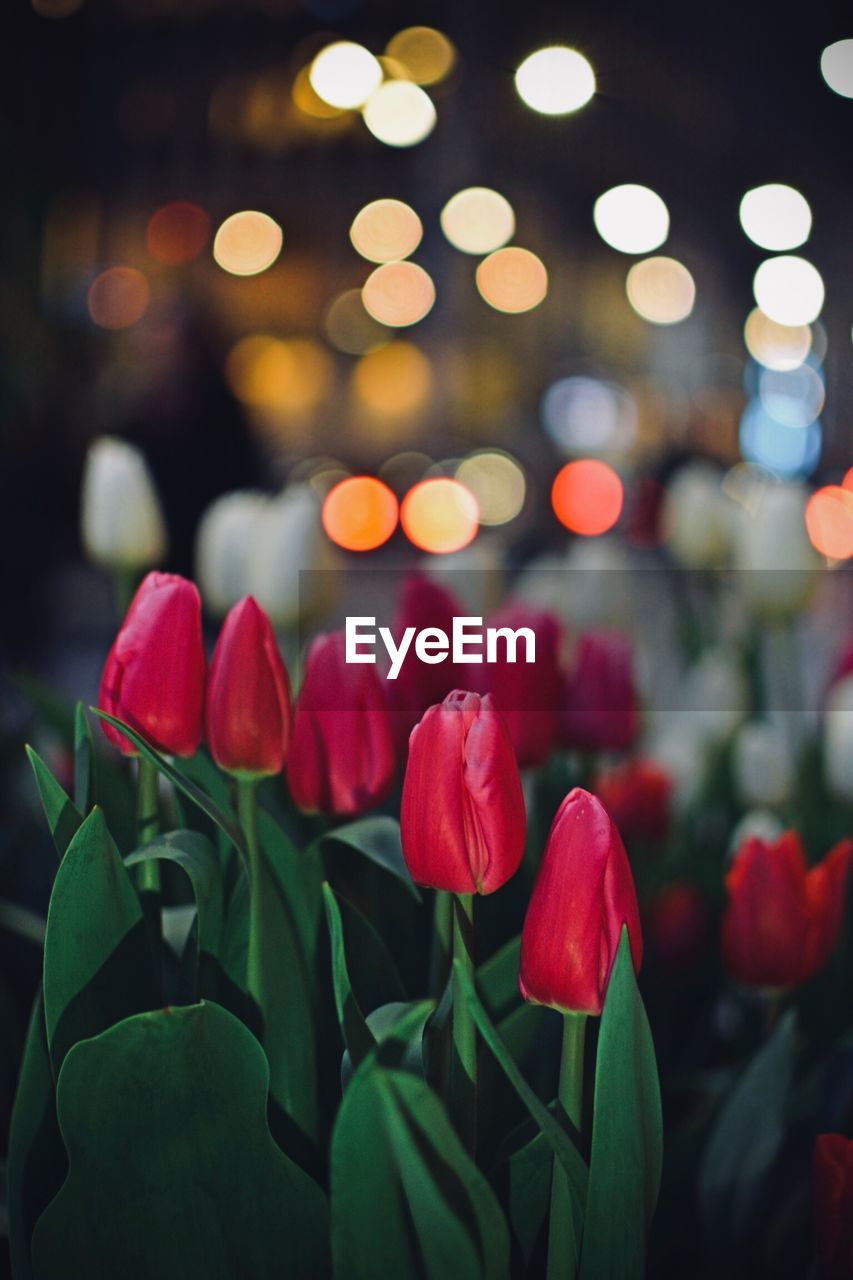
(279, 376)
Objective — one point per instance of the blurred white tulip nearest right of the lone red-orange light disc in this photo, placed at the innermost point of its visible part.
(696, 518)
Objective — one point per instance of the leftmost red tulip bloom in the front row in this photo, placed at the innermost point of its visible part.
(154, 675)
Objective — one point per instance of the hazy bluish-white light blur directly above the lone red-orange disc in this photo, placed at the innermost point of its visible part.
(587, 415)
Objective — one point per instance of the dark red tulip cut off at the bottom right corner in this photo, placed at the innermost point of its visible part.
(833, 1197)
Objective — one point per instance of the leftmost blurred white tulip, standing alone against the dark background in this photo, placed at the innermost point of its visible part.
(121, 519)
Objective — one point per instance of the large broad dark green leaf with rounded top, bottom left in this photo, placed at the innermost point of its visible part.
(172, 1168)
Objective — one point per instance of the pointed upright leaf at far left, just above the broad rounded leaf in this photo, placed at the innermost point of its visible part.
(98, 958)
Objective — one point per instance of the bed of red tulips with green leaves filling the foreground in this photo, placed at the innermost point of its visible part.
(348, 984)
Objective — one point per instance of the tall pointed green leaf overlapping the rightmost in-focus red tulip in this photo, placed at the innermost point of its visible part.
(627, 1141)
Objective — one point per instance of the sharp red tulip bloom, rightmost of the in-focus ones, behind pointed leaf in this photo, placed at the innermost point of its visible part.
(583, 895)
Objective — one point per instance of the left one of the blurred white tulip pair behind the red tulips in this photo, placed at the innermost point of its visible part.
(226, 540)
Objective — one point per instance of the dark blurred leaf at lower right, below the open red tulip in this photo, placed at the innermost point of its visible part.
(747, 1139)
